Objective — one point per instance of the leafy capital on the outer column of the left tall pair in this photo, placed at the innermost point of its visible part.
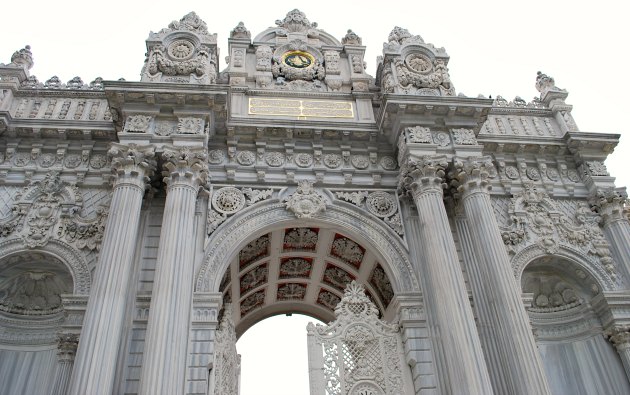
(132, 164)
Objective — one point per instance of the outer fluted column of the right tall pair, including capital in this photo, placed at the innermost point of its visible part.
(497, 295)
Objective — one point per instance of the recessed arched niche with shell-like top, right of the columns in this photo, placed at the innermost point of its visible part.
(576, 356)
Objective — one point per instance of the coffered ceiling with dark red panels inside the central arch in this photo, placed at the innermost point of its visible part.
(300, 270)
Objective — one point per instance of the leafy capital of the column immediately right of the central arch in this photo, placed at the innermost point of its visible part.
(423, 176)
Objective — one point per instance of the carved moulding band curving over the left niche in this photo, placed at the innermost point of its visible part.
(74, 261)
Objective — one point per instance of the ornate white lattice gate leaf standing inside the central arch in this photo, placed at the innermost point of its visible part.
(358, 353)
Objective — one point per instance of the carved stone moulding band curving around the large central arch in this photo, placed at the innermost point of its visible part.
(234, 234)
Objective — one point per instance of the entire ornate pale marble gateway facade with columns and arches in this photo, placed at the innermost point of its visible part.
(456, 245)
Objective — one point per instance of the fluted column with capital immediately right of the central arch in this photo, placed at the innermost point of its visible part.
(449, 313)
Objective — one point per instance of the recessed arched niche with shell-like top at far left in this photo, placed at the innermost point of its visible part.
(32, 285)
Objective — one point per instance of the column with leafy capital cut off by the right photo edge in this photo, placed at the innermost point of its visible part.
(610, 206)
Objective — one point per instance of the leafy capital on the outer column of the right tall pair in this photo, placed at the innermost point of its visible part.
(470, 175)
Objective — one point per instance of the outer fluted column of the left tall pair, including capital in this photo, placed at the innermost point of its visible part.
(104, 319)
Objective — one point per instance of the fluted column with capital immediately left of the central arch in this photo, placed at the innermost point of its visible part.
(165, 350)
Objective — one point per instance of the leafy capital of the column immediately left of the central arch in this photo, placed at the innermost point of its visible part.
(185, 166)
